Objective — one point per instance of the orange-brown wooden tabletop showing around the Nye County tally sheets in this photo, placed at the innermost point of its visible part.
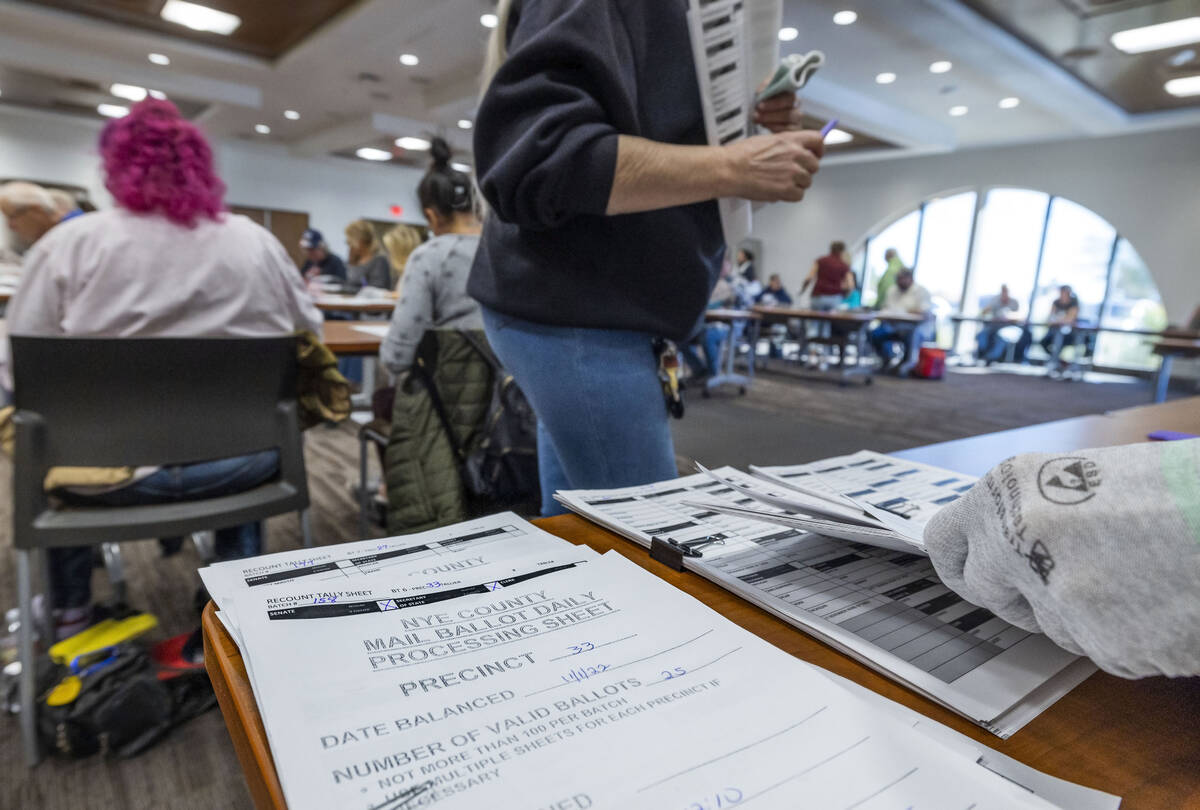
(1135, 739)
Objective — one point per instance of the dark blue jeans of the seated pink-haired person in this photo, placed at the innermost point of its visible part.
(71, 568)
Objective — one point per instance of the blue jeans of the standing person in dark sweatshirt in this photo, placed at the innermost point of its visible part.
(602, 421)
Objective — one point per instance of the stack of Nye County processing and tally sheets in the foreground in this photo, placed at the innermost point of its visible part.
(493, 665)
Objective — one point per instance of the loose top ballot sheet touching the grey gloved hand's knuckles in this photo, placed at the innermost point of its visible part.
(901, 495)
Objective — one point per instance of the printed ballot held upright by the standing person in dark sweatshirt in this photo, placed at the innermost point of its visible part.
(718, 45)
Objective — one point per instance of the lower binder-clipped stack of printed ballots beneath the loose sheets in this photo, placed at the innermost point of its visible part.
(885, 608)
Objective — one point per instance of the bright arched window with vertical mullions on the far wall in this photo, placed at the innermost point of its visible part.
(965, 245)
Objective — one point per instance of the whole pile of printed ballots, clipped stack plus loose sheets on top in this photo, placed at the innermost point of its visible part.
(880, 603)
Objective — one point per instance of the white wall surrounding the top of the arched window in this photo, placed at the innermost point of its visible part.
(1147, 185)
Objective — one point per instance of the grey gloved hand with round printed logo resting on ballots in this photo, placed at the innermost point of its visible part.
(1100, 550)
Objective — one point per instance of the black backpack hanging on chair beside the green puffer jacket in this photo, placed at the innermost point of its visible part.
(500, 463)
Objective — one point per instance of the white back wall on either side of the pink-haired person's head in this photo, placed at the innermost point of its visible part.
(332, 191)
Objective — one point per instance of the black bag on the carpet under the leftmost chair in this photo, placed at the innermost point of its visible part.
(122, 709)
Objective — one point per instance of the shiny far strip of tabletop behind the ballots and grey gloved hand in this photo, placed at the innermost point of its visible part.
(979, 454)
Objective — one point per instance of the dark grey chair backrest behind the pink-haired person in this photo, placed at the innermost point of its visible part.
(134, 401)
